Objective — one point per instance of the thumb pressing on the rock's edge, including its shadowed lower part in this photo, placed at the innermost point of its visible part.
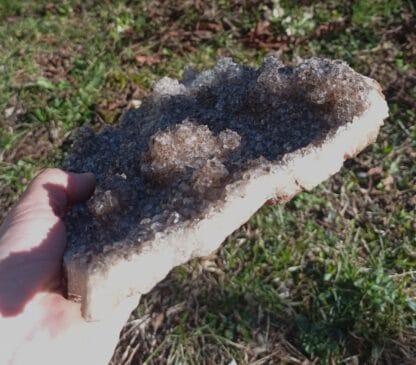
(33, 237)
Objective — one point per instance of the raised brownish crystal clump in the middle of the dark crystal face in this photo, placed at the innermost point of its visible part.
(192, 147)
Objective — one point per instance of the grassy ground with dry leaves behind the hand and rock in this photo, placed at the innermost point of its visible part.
(328, 278)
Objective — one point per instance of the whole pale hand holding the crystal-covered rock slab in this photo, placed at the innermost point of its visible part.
(37, 324)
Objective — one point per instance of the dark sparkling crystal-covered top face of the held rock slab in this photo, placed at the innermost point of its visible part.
(167, 161)
